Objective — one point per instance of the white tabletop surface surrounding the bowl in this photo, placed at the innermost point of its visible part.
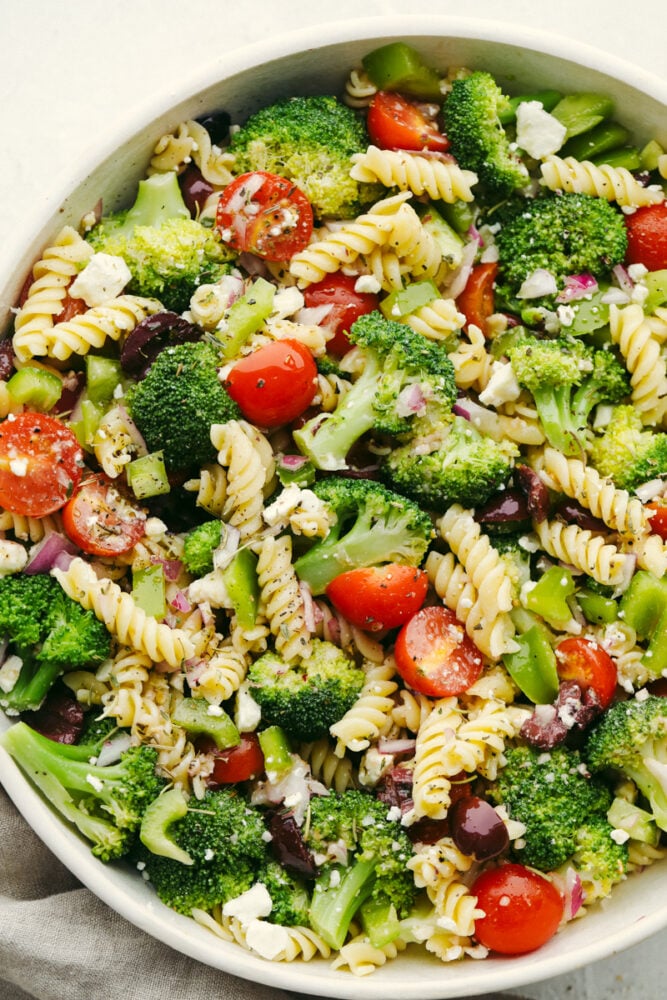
(70, 69)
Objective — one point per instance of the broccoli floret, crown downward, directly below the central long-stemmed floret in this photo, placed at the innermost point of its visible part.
(466, 467)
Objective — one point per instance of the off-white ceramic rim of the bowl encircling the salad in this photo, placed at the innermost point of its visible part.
(170, 928)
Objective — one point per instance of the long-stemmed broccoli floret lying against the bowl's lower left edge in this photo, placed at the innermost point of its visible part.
(105, 804)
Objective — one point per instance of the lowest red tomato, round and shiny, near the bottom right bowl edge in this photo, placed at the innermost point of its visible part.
(522, 909)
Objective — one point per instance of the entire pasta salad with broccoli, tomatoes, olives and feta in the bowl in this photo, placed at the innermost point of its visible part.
(333, 522)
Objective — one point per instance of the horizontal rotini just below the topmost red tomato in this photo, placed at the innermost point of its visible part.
(414, 172)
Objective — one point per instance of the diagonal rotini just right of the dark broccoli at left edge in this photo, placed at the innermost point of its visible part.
(124, 619)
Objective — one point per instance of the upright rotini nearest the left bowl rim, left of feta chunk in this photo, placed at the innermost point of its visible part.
(52, 275)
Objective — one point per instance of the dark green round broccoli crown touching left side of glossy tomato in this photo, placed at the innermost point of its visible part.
(176, 403)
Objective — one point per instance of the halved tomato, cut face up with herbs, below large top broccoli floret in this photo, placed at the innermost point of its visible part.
(264, 214)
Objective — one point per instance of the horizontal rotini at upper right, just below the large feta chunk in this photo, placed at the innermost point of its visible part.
(604, 181)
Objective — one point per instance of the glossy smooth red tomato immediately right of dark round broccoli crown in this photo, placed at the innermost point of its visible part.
(275, 383)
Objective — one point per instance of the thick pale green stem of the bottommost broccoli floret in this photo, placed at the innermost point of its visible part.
(333, 907)
